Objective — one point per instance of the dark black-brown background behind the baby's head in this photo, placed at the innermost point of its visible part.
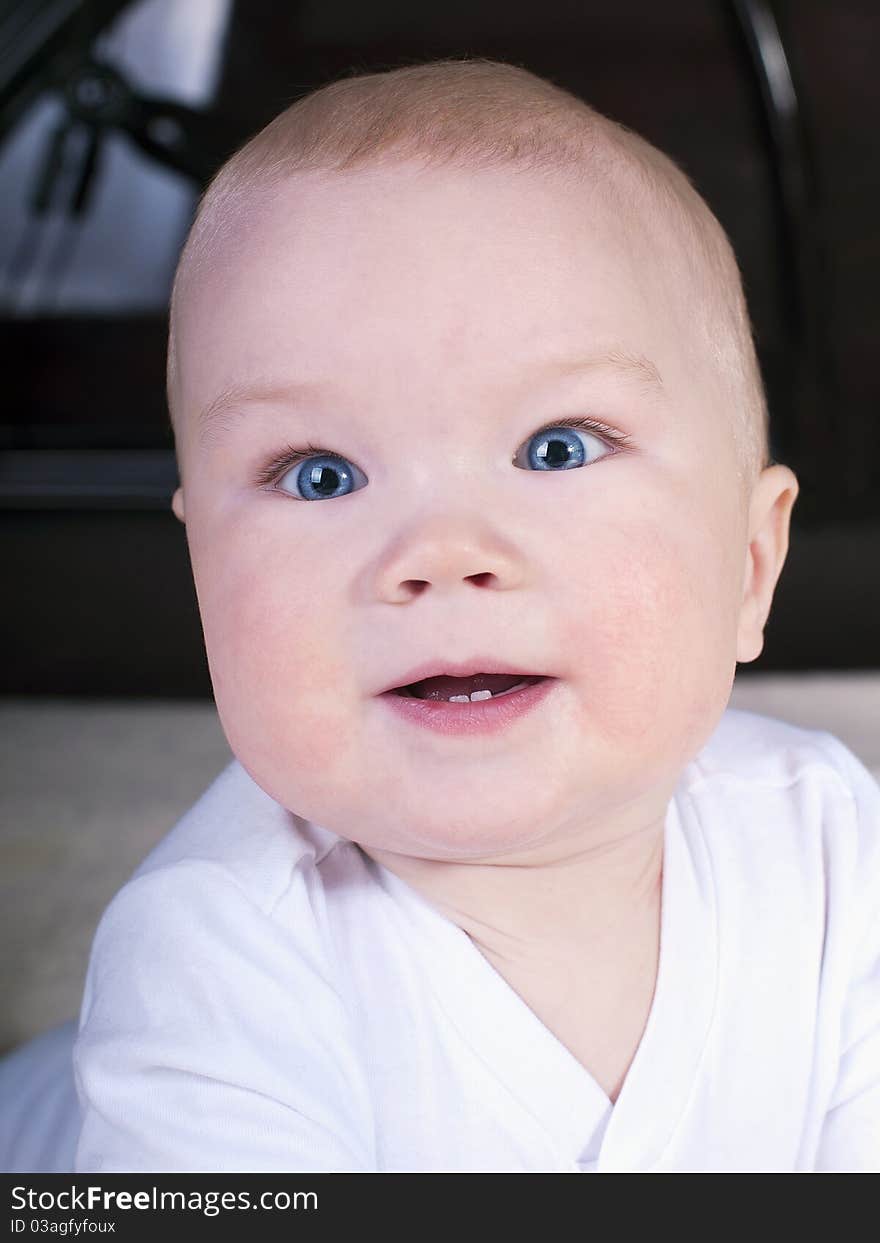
(769, 108)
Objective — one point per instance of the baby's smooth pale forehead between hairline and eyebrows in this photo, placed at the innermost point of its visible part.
(411, 274)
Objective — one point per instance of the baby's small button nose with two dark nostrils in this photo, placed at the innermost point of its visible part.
(448, 556)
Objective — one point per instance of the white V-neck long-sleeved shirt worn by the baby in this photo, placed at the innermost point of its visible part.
(264, 998)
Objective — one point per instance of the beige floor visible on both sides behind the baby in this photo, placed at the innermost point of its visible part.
(89, 787)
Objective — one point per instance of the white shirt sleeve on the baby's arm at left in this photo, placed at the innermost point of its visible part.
(213, 1037)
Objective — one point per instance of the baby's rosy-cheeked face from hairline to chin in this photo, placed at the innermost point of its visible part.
(427, 330)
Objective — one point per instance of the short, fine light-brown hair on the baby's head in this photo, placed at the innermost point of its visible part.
(477, 114)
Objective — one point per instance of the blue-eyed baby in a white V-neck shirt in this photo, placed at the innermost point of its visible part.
(497, 882)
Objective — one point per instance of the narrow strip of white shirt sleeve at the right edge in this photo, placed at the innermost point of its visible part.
(851, 1135)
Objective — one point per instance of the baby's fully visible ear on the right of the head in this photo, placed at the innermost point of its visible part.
(769, 526)
